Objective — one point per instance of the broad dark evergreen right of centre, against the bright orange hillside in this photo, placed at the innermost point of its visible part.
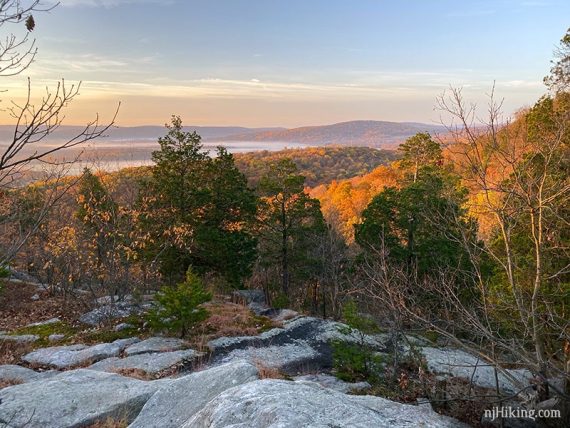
(420, 225)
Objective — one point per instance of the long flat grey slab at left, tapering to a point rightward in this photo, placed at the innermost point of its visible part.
(67, 357)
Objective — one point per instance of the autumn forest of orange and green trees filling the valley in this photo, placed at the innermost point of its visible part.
(462, 238)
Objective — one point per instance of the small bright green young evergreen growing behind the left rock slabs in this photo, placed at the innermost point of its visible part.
(177, 309)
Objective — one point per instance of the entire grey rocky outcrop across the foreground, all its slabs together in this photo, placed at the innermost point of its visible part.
(161, 382)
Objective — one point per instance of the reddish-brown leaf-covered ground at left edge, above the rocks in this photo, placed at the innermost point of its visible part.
(17, 309)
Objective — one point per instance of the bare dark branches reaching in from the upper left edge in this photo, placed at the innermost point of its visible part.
(34, 120)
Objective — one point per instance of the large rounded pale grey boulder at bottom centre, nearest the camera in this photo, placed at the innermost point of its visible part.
(277, 403)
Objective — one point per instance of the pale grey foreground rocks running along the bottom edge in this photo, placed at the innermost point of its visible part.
(228, 395)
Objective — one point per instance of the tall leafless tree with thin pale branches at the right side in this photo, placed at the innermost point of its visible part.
(517, 173)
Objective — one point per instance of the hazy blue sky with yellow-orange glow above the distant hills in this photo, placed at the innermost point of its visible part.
(291, 62)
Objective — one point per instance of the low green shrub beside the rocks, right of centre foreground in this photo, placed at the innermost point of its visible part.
(355, 361)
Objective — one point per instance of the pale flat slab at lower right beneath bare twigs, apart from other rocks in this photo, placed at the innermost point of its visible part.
(458, 363)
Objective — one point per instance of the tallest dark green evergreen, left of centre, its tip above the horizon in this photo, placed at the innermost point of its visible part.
(199, 209)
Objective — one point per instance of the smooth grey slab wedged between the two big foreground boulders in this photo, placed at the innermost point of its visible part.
(174, 404)
